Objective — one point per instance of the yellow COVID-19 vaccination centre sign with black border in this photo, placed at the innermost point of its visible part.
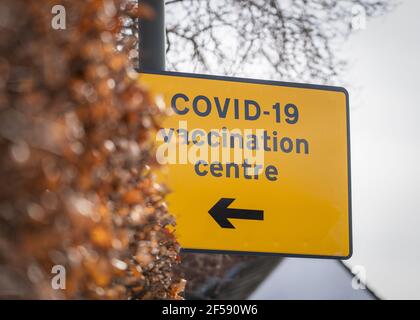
(256, 166)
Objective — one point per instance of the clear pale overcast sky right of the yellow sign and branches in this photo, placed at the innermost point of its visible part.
(385, 132)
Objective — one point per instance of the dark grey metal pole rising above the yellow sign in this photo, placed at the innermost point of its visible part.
(152, 38)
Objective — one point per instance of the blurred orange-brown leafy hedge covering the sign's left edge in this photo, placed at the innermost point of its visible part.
(77, 187)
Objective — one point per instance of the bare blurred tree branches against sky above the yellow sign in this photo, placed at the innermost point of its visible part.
(291, 40)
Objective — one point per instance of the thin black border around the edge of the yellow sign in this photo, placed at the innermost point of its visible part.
(281, 84)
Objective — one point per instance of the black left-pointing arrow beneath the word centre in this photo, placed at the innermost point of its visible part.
(221, 213)
